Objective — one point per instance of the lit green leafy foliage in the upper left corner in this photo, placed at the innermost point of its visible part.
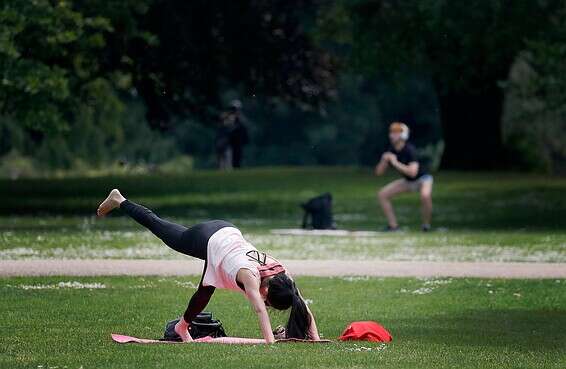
(48, 52)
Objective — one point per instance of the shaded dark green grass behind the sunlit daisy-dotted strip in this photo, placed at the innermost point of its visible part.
(270, 197)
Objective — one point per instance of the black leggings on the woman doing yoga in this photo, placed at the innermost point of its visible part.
(191, 241)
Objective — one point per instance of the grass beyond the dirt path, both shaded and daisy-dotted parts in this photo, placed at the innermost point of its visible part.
(478, 216)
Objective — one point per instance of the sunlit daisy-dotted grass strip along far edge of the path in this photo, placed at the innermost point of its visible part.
(502, 246)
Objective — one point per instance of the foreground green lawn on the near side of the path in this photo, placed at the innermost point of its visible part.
(436, 323)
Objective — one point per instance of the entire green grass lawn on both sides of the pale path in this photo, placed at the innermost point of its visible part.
(448, 323)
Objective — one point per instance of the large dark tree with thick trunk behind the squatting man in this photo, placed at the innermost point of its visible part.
(466, 47)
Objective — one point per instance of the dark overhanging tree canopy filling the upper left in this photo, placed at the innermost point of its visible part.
(178, 56)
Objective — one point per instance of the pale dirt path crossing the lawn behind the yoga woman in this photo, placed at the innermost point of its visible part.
(296, 267)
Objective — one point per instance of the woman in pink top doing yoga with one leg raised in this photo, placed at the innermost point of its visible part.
(230, 262)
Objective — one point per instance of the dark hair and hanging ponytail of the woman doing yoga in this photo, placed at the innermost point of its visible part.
(282, 294)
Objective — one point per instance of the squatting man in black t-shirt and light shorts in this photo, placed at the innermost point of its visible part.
(402, 156)
